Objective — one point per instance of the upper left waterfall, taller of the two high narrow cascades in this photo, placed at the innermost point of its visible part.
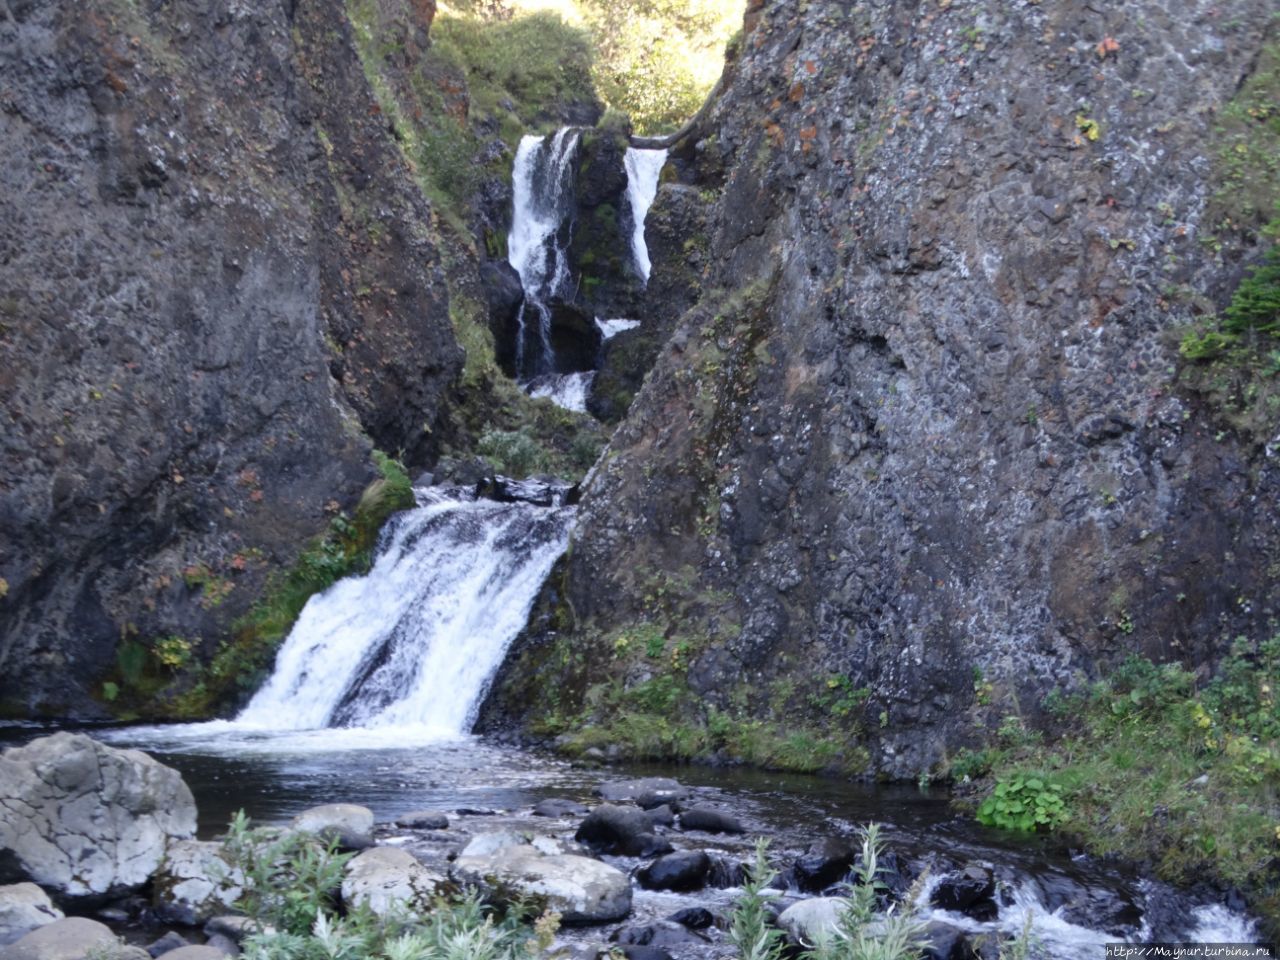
(542, 203)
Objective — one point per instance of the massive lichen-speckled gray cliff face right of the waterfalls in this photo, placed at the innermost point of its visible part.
(924, 433)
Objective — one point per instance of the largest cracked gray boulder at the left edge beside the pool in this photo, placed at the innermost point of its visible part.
(86, 820)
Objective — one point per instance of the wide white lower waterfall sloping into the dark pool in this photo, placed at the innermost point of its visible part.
(417, 642)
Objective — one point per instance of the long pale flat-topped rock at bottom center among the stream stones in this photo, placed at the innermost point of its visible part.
(583, 892)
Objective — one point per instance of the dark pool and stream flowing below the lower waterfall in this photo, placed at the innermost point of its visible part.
(1077, 903)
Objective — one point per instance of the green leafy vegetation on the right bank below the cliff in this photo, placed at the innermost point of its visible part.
(1162, 767)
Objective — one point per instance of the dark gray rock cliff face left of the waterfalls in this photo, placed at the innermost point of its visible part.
(220, 286)
